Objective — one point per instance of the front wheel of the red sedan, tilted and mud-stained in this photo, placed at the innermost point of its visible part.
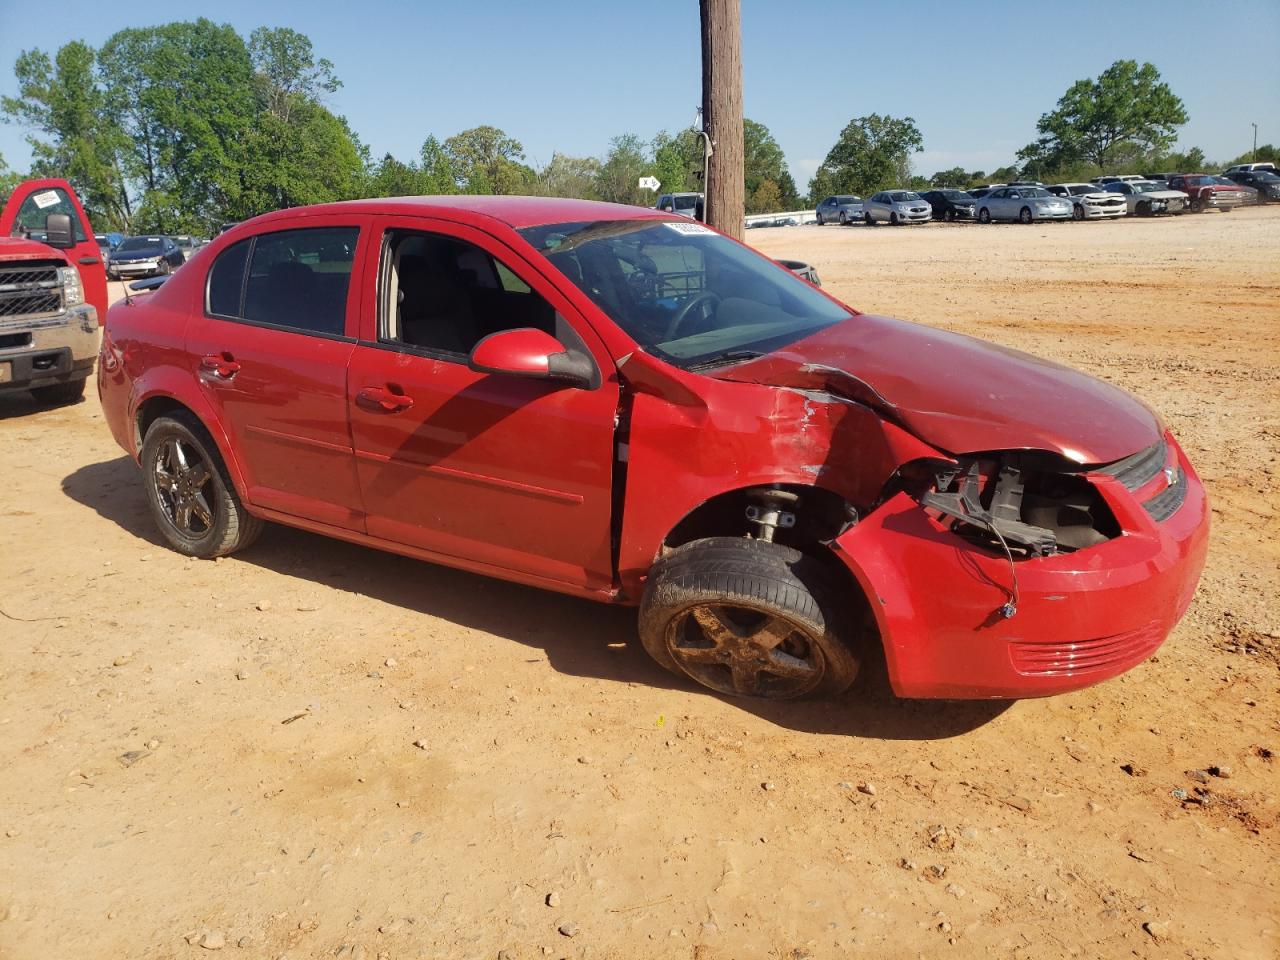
(748, 619)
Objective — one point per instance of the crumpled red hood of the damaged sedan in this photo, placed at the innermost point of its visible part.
(959, 394)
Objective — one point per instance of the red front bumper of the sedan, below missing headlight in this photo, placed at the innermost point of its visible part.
(1082, 618)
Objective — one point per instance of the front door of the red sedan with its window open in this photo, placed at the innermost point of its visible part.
(499, 472)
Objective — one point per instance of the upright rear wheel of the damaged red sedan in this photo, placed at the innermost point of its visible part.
(193, 500)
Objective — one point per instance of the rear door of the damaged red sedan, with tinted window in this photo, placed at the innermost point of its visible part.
(271, 350)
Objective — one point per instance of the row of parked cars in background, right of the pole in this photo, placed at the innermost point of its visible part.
(1028, 202)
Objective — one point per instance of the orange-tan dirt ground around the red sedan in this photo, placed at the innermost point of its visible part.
(318, 751)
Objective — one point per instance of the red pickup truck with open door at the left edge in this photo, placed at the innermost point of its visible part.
(53, 292)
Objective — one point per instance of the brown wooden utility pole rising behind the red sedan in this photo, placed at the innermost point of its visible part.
(723, 115)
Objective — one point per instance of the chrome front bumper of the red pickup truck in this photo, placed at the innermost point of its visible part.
(51, 350)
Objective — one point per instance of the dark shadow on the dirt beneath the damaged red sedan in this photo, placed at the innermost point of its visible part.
(580, 638)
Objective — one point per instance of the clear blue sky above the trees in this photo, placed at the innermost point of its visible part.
(561, 75)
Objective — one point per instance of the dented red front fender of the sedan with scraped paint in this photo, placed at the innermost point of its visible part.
(693, 438)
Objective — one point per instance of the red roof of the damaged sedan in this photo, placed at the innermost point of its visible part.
(514, 212)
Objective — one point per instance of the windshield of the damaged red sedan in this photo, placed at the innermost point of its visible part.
(684, 292)
